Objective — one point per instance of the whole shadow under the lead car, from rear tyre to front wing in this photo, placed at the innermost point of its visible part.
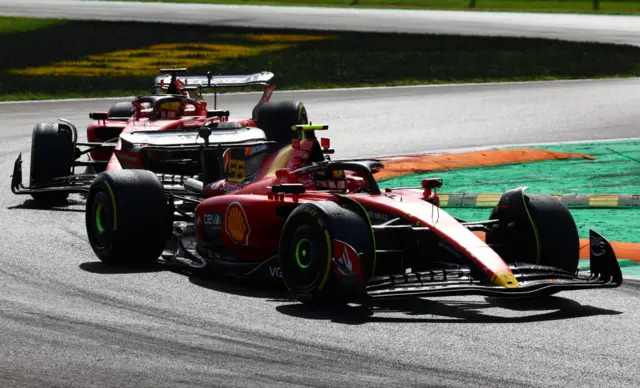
(415, 310)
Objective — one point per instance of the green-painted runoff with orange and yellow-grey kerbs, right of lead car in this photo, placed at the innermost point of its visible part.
(599, 182)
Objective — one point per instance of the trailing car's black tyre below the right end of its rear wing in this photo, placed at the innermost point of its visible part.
(276, 119)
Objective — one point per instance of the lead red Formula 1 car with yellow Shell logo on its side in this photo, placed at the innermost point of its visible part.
(332, 235)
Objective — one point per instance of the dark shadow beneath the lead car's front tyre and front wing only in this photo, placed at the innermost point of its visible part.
(424, 311)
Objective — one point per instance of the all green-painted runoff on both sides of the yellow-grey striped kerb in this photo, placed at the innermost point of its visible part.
(615, 170)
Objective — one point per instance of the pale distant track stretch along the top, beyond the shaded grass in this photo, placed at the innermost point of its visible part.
(616, 29)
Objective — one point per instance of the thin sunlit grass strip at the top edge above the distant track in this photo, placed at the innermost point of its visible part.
(560, 6)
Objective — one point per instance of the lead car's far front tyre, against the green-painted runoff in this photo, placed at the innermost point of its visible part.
(536, 229)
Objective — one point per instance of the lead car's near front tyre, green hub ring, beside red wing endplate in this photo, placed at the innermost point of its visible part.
(326, 254)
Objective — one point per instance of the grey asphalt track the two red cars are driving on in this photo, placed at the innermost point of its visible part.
(67, 320)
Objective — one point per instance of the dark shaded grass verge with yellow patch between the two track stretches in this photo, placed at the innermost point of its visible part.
(57, 59)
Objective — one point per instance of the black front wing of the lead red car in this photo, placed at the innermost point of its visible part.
(532, 279)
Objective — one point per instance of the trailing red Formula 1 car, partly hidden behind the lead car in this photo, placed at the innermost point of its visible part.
(163, 120)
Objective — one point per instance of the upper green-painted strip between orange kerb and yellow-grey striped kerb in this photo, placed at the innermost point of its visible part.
(615, 170)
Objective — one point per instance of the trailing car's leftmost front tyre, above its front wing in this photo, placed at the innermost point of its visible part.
(52, 156)
